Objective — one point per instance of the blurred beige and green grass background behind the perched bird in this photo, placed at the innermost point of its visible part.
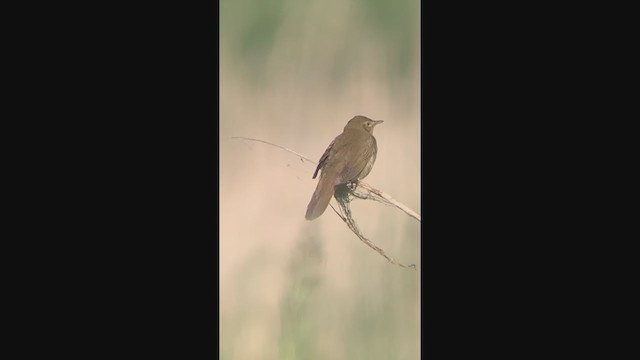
(293, 73)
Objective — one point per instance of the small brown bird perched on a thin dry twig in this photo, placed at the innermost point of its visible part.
(349, 157)
